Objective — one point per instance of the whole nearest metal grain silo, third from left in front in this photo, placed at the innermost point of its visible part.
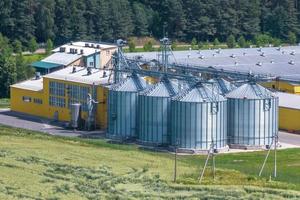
(199, 118)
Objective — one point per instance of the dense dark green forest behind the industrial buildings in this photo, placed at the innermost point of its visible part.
(26, 25)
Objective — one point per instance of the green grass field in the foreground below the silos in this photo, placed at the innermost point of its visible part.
(37, 166)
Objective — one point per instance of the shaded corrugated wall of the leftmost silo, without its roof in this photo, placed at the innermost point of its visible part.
(122, 110)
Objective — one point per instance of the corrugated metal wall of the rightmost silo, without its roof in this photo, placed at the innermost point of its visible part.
(250, 122)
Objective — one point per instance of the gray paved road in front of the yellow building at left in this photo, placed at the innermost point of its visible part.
(19, 120)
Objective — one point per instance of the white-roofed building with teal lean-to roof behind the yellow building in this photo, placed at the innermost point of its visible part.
(89, 54)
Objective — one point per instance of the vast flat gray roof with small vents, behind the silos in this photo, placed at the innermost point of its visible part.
(283, 62)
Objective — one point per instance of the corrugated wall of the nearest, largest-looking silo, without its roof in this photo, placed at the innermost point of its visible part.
(194, 125)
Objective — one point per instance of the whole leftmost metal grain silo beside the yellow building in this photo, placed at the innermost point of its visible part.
(122, 108)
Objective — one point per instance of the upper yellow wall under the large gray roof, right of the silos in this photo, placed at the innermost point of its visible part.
(283, 86)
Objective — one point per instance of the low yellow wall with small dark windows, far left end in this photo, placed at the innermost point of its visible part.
(18, 105)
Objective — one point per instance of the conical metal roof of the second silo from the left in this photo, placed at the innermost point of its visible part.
(165, 88)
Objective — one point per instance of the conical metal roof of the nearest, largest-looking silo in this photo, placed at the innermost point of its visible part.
(199, 93)
